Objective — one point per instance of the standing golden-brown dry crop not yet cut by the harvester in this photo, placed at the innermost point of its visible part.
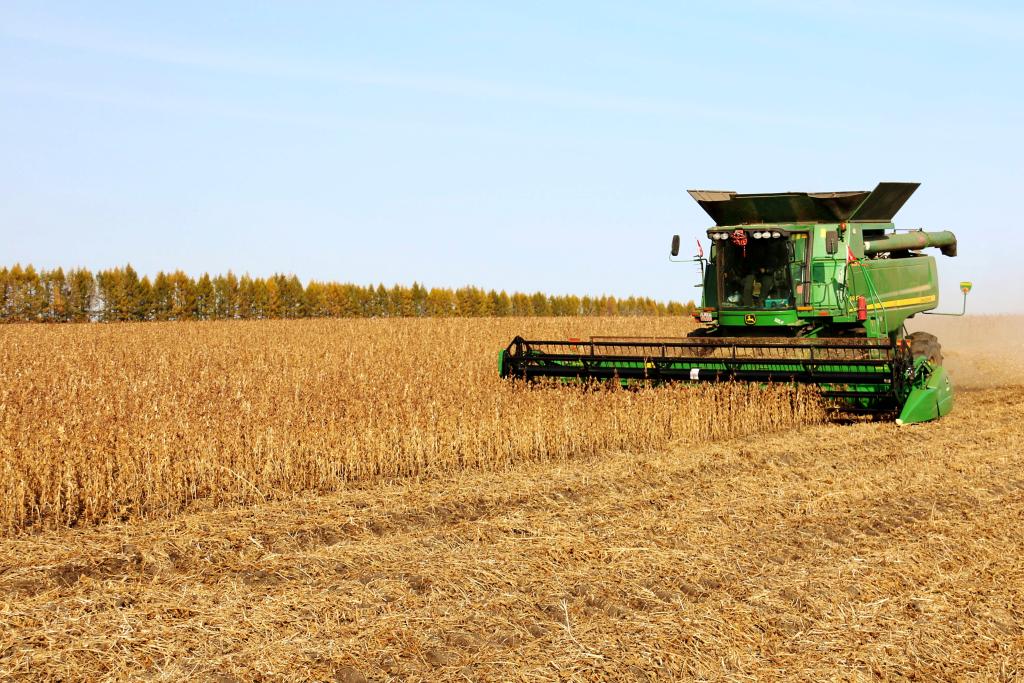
(127, 421)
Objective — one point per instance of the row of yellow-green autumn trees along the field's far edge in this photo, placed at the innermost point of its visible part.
(120, 294)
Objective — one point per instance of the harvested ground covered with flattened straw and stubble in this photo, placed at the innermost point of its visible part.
(849, 552)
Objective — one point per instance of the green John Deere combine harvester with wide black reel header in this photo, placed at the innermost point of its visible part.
(798, 287)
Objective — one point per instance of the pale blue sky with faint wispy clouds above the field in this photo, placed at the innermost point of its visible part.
(510, 146)
